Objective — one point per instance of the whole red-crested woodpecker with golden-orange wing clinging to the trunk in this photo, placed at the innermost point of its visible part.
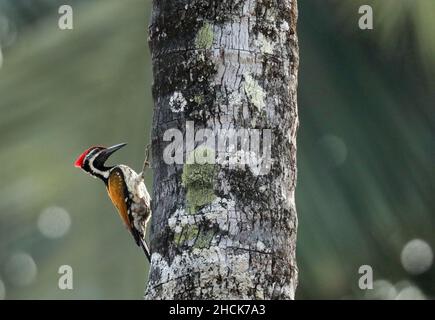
(125, 187)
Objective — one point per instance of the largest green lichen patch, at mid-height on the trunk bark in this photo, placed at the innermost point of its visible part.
(198, 179)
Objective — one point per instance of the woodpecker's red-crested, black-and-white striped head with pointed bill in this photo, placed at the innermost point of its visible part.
(92, 160)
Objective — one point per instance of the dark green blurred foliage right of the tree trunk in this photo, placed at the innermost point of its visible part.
(375, 109)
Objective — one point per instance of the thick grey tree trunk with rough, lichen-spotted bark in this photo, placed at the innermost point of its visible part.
(226, 228)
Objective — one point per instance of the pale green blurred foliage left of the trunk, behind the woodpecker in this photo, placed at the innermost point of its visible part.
(62, 91)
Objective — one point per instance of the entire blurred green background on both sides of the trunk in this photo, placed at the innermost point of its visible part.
(365, 191)
